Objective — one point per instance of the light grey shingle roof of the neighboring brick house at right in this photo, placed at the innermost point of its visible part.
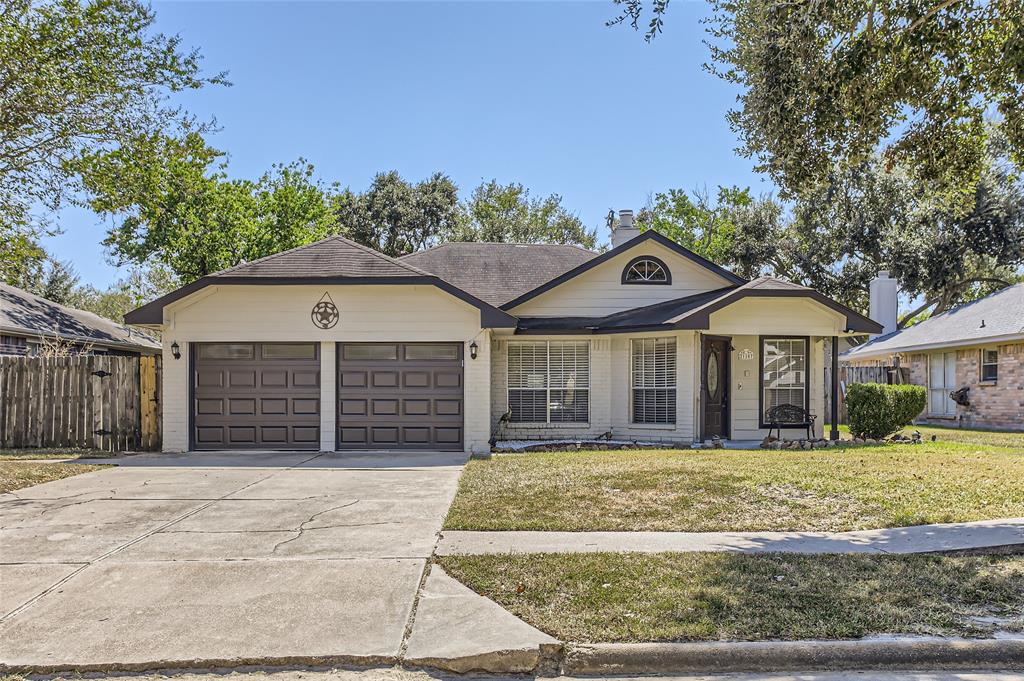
(1000, 316)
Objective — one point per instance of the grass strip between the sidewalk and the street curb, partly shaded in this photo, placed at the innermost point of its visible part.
(620, 598)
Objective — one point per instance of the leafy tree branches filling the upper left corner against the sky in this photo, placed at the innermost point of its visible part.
(76, 77)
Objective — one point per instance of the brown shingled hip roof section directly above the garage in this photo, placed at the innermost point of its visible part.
(331, 258)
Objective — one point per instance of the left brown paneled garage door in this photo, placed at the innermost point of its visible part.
(257, 397)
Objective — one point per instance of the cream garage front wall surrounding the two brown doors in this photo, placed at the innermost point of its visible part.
(267, 314)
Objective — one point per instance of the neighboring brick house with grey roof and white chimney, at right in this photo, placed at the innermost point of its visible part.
(977, 349)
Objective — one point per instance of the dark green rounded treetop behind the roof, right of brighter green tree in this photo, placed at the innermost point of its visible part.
(397, 218)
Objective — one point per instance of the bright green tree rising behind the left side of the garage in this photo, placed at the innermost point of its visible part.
(175, 206)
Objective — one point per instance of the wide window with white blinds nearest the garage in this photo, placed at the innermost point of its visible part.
(549, 382)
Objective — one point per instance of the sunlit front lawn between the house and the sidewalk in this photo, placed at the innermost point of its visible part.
(751, 490)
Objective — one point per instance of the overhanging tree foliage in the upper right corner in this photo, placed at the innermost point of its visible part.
(840, 81)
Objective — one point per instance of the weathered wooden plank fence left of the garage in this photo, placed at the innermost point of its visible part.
(102, 402)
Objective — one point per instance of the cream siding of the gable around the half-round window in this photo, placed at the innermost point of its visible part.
(601, 290)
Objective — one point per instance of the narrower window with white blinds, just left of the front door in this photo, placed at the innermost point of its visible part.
(654, 380)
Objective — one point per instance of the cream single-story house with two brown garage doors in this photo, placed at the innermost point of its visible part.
(336, 347)
